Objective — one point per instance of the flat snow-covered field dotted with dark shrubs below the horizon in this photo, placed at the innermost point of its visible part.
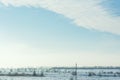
(59, 74)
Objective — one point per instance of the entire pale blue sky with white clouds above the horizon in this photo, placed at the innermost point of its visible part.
(35, 33)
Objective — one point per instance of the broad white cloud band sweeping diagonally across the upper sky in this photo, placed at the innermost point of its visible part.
(84, 13)
